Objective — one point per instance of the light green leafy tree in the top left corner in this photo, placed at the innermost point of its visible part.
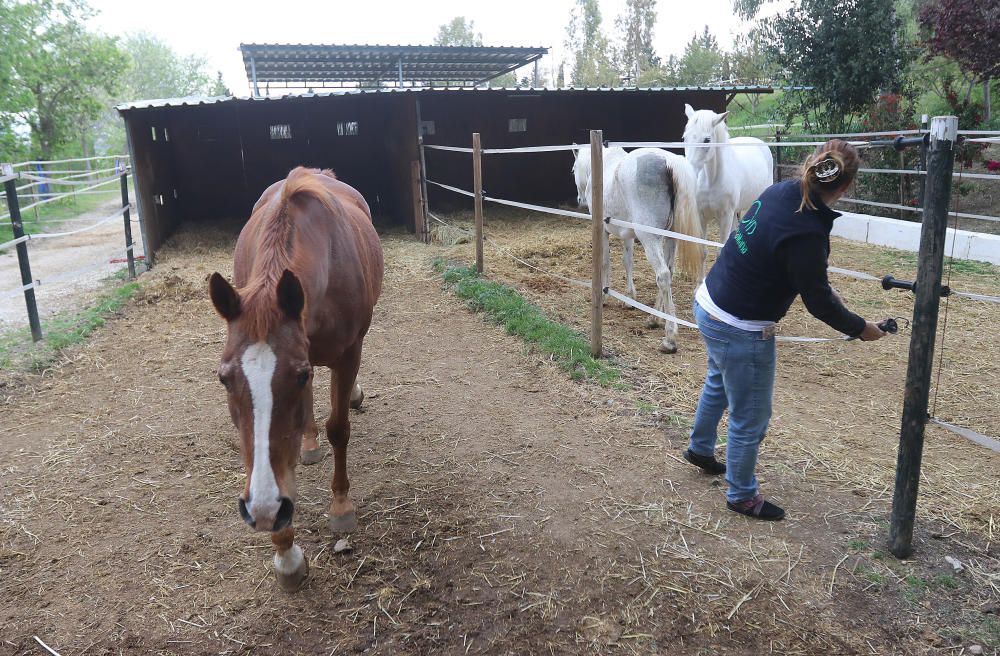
(56, 71)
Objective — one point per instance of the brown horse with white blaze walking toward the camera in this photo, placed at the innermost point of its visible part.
(307, 273)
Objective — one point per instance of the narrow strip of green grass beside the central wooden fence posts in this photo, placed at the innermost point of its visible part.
(505, 307)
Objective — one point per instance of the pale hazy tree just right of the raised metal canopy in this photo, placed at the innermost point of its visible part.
(590, 60)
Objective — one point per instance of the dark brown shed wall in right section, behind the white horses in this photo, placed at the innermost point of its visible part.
(552, 118)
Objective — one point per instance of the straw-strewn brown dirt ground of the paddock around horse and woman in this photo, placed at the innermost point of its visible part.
(503, 509)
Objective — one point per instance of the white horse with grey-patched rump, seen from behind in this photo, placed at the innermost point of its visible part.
(654, 188)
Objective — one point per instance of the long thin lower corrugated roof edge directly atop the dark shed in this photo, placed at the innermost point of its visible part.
(214, 100)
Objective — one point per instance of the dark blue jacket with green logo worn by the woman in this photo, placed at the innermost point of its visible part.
(775, 254)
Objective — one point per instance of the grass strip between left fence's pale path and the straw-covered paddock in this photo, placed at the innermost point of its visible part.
(64, 329)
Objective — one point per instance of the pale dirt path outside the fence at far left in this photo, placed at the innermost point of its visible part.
(70, 268)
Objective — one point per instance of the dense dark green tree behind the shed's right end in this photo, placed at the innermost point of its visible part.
(849, 51)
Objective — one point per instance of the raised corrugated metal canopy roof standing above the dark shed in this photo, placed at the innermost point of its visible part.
(303, 64)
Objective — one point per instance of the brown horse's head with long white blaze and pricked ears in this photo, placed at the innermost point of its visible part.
(265, 370)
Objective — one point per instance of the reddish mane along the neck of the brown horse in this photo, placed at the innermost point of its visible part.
(274, 246)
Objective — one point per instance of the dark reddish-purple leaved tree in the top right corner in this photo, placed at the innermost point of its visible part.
(967, 31)
